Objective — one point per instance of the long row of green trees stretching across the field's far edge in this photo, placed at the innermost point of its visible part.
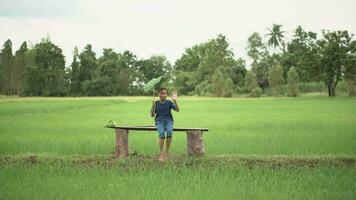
(210, 68)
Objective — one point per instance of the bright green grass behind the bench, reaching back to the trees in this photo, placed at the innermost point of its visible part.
(269, 126)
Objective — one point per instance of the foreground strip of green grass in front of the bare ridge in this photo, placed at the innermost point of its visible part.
(188, 179)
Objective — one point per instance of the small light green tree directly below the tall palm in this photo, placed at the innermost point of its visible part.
(275, 78)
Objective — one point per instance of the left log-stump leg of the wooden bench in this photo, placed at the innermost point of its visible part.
(122, 142)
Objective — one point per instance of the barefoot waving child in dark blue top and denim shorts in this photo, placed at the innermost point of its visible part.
(161, 110)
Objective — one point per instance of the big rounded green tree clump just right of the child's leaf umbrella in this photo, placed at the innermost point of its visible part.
(196, 69)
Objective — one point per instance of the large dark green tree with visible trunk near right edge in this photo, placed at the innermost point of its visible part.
(333, 54)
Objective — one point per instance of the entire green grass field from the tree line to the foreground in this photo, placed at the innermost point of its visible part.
(56, 132)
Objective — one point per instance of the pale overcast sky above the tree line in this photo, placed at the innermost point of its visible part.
(163, 27)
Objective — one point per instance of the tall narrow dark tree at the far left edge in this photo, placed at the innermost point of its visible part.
(6, 68)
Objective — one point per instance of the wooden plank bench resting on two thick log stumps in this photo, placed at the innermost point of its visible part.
(195, 144)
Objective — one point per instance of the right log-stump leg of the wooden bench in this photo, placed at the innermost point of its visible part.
(195, 144)
